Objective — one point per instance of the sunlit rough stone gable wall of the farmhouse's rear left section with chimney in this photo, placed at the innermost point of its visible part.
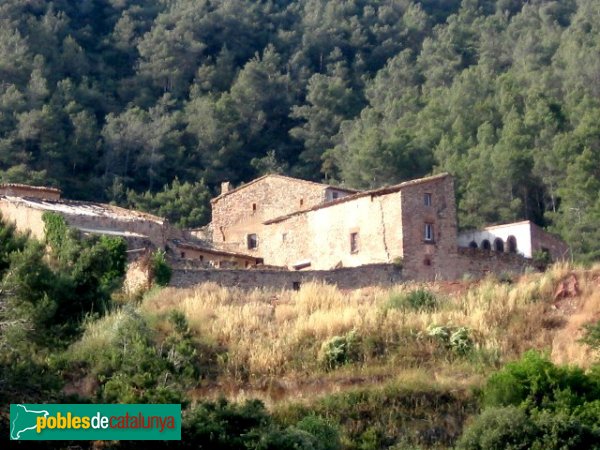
(234, 215)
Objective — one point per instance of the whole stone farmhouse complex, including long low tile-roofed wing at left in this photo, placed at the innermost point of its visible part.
(288, 230)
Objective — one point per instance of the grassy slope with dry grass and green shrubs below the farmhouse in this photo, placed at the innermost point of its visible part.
(389, 368)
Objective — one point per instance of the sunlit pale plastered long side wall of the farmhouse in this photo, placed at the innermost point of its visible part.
(322, 236)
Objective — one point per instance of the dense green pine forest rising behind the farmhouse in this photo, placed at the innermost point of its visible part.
(134, 101)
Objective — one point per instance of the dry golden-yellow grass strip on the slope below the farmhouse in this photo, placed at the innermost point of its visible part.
(273, 334)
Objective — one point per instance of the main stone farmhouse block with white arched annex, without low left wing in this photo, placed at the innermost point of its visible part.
(301, 225)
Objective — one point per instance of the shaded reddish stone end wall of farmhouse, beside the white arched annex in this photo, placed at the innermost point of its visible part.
(429, 260)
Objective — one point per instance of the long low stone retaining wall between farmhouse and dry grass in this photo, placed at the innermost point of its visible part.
(346, 278)
